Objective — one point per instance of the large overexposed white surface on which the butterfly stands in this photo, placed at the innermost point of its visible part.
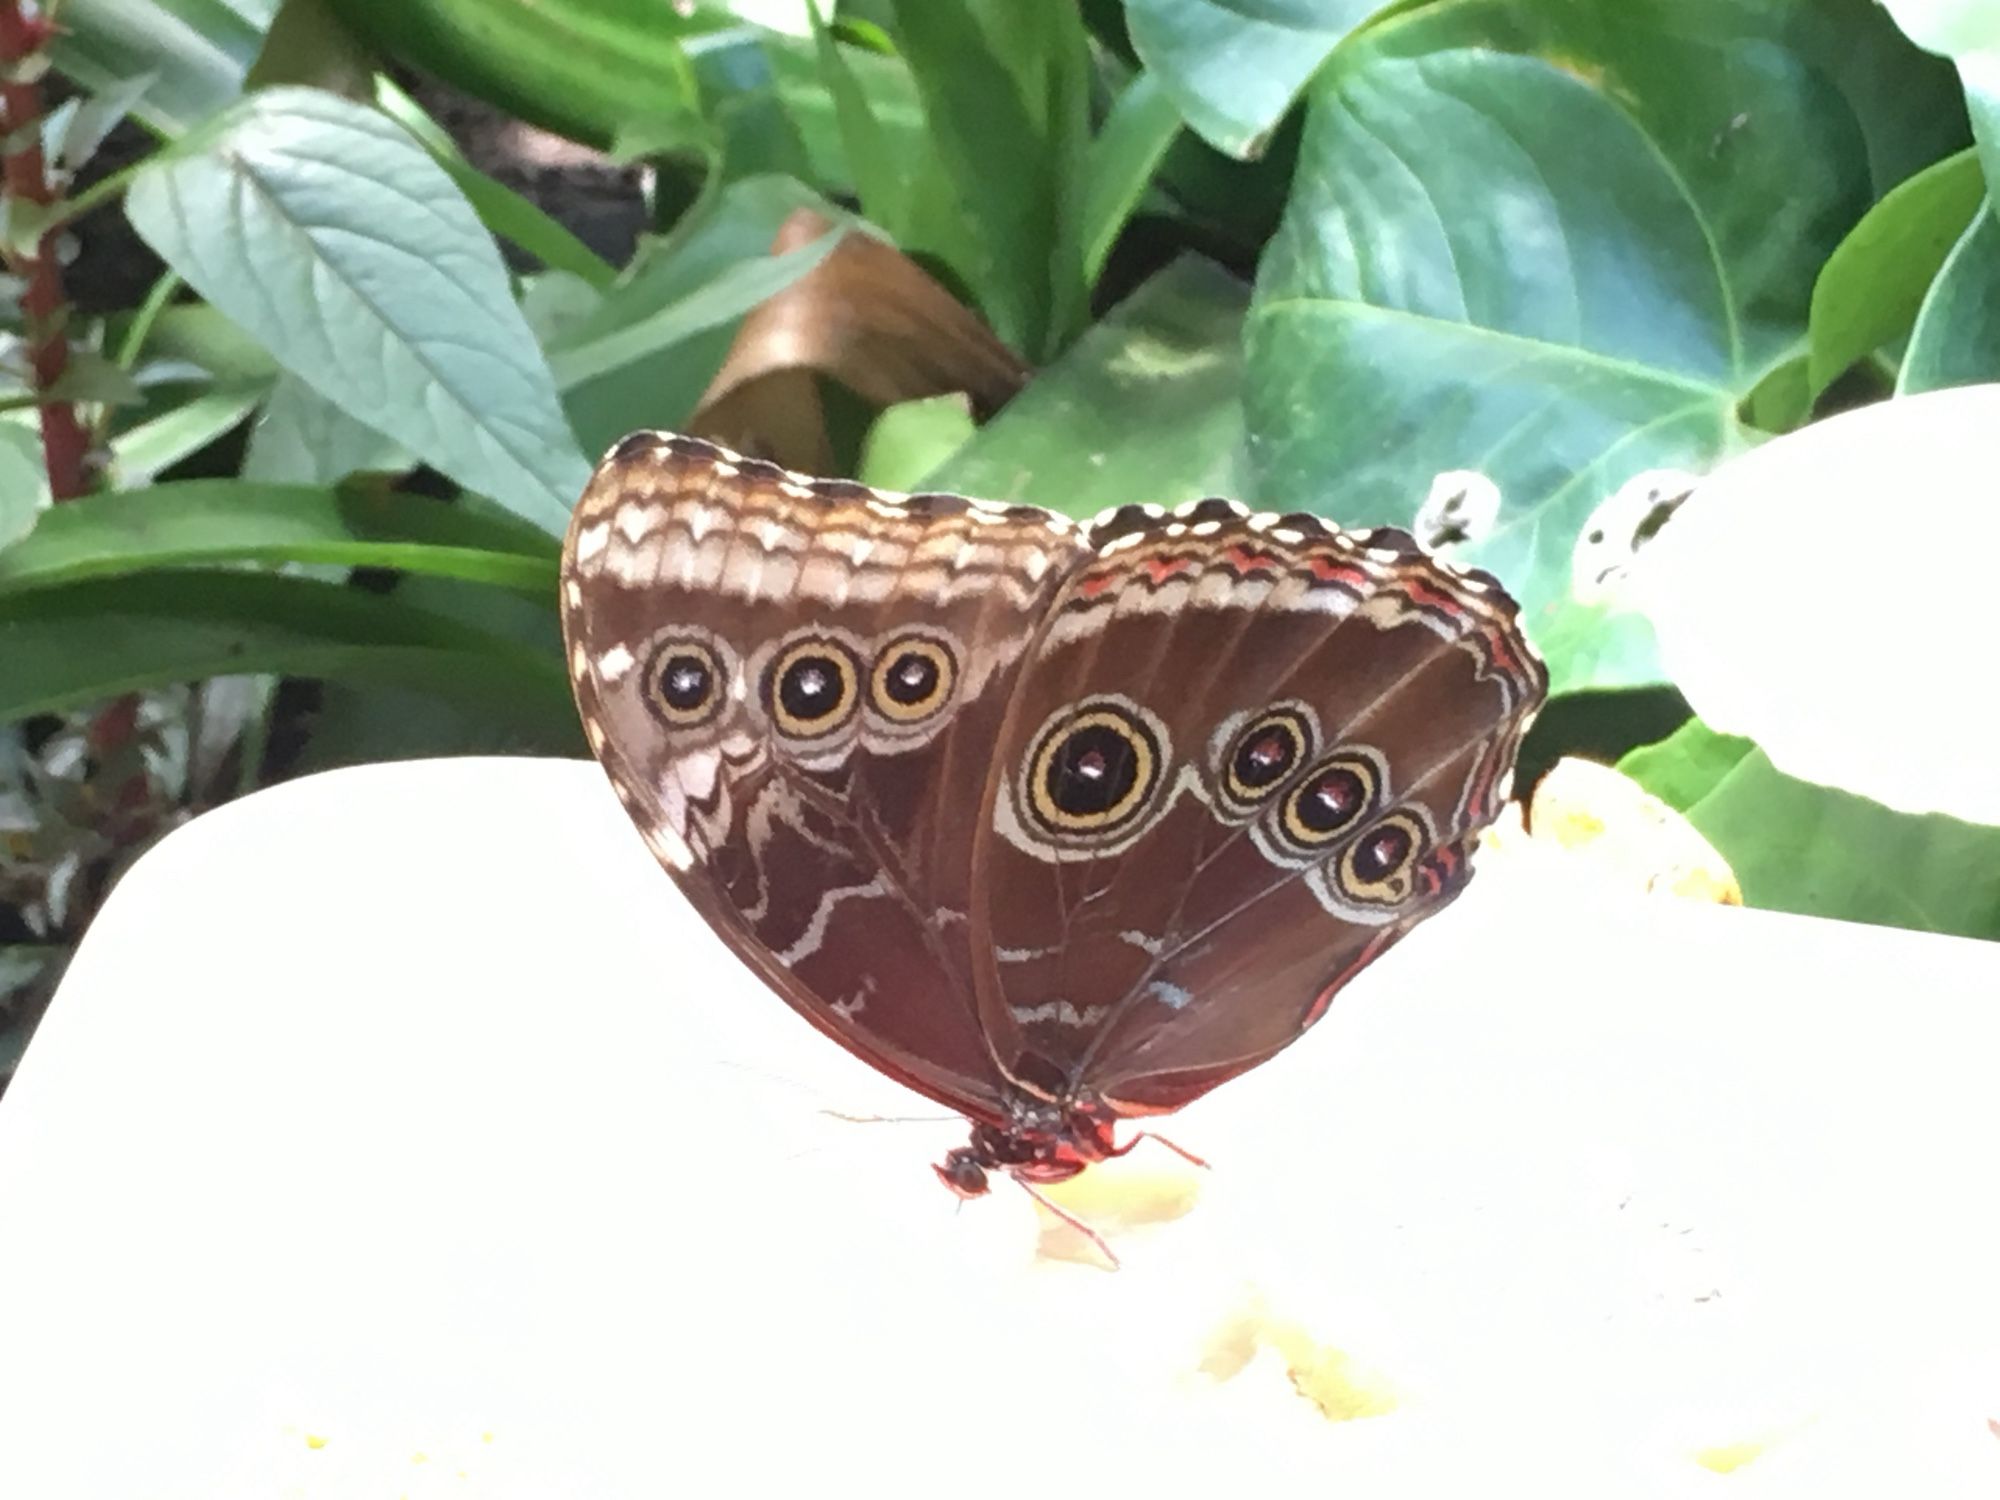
(399, 1133)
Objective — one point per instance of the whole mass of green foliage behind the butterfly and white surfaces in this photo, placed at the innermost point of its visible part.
(355, 291)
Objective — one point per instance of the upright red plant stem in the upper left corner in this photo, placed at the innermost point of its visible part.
(65, 443)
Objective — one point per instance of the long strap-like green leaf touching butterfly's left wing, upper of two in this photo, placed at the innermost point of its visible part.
(205, 523)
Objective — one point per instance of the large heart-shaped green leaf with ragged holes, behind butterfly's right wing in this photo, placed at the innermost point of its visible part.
(1559, 245)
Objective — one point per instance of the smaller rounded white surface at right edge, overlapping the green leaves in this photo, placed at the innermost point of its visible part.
(1831, 597)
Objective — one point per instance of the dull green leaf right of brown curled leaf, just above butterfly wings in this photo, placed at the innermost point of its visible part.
(1145, 407)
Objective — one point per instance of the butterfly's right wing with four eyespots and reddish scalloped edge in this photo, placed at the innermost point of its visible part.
(1245, 757)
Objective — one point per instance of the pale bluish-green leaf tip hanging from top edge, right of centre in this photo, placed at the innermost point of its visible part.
(1235, 67)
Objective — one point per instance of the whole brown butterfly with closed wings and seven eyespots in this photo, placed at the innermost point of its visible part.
(1061, 825)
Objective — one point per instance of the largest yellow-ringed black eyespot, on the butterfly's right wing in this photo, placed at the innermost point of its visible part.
(1093, 771)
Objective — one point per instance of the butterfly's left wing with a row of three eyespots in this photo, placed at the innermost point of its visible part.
(795, 689)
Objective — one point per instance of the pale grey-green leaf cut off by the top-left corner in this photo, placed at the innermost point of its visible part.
(199, 51)
